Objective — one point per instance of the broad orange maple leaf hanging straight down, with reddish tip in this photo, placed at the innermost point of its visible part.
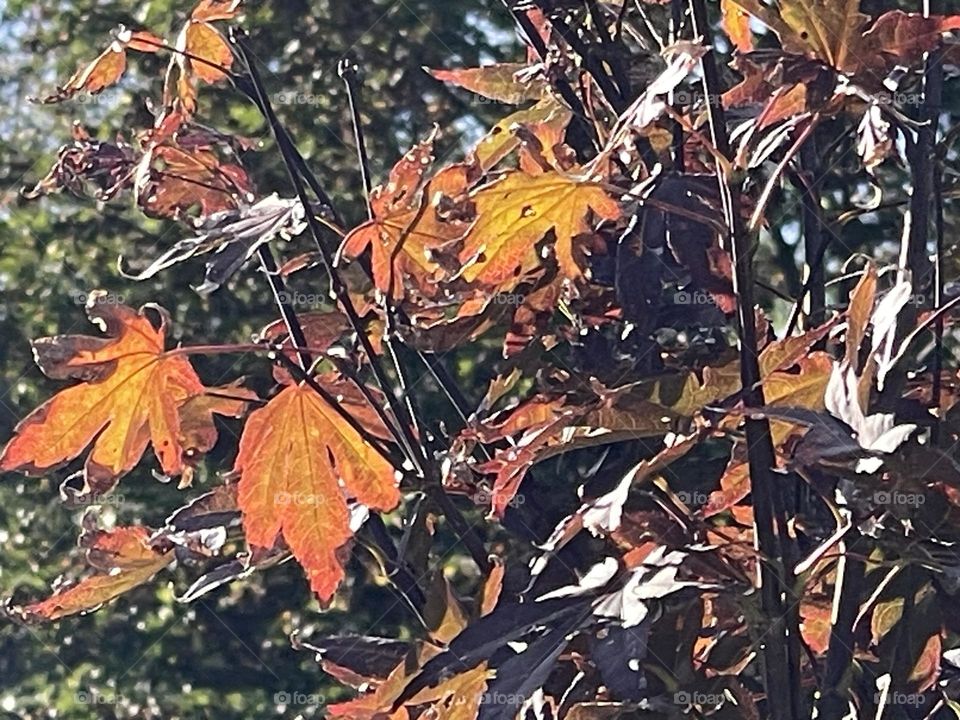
(299, 462)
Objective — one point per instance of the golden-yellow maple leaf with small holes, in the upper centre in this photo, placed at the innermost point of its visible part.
(516, 212)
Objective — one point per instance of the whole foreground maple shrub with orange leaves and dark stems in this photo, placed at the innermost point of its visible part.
(673, 507)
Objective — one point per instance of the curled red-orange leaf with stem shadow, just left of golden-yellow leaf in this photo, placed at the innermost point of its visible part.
(407, 226)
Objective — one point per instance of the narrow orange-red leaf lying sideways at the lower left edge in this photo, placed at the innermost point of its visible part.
(123, 560)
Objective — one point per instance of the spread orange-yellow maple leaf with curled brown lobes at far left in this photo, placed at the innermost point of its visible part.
(129, 396)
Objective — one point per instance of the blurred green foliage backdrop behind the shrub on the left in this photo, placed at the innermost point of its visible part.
(227, 655)
